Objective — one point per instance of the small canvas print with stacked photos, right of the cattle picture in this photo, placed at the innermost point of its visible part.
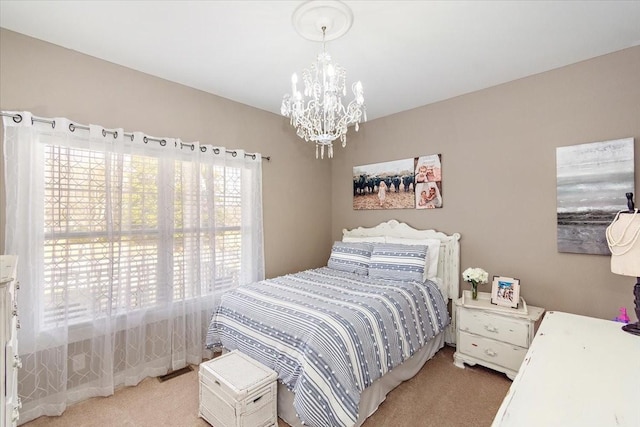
(428, 182)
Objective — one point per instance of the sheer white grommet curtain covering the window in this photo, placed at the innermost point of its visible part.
(125, 241)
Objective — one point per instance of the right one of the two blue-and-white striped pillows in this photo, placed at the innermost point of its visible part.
(394, 261)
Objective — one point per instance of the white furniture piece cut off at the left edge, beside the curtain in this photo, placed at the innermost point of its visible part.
(9, 359)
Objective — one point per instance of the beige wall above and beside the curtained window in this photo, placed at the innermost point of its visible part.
(51, 81)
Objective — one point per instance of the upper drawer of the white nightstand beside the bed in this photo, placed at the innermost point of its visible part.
(494, 326)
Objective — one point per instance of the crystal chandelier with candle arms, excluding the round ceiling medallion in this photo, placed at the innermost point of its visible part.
(318, 113)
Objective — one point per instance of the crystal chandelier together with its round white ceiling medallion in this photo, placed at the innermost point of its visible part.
(318, 112)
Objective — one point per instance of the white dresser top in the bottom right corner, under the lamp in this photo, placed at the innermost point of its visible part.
(579, 371)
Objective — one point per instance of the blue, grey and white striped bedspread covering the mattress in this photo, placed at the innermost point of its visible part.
(328, 334)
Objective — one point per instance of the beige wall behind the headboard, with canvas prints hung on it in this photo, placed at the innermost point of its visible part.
(498, 151)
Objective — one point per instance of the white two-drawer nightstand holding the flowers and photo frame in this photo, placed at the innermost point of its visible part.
(494, 336)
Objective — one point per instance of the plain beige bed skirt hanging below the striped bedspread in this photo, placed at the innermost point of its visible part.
(376, 393)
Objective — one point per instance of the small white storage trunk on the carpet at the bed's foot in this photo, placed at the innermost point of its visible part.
(237, 391)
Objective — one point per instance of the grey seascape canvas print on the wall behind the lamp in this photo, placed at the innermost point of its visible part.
(592, 180)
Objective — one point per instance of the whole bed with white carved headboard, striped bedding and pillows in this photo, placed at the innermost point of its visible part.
(341, 337)
